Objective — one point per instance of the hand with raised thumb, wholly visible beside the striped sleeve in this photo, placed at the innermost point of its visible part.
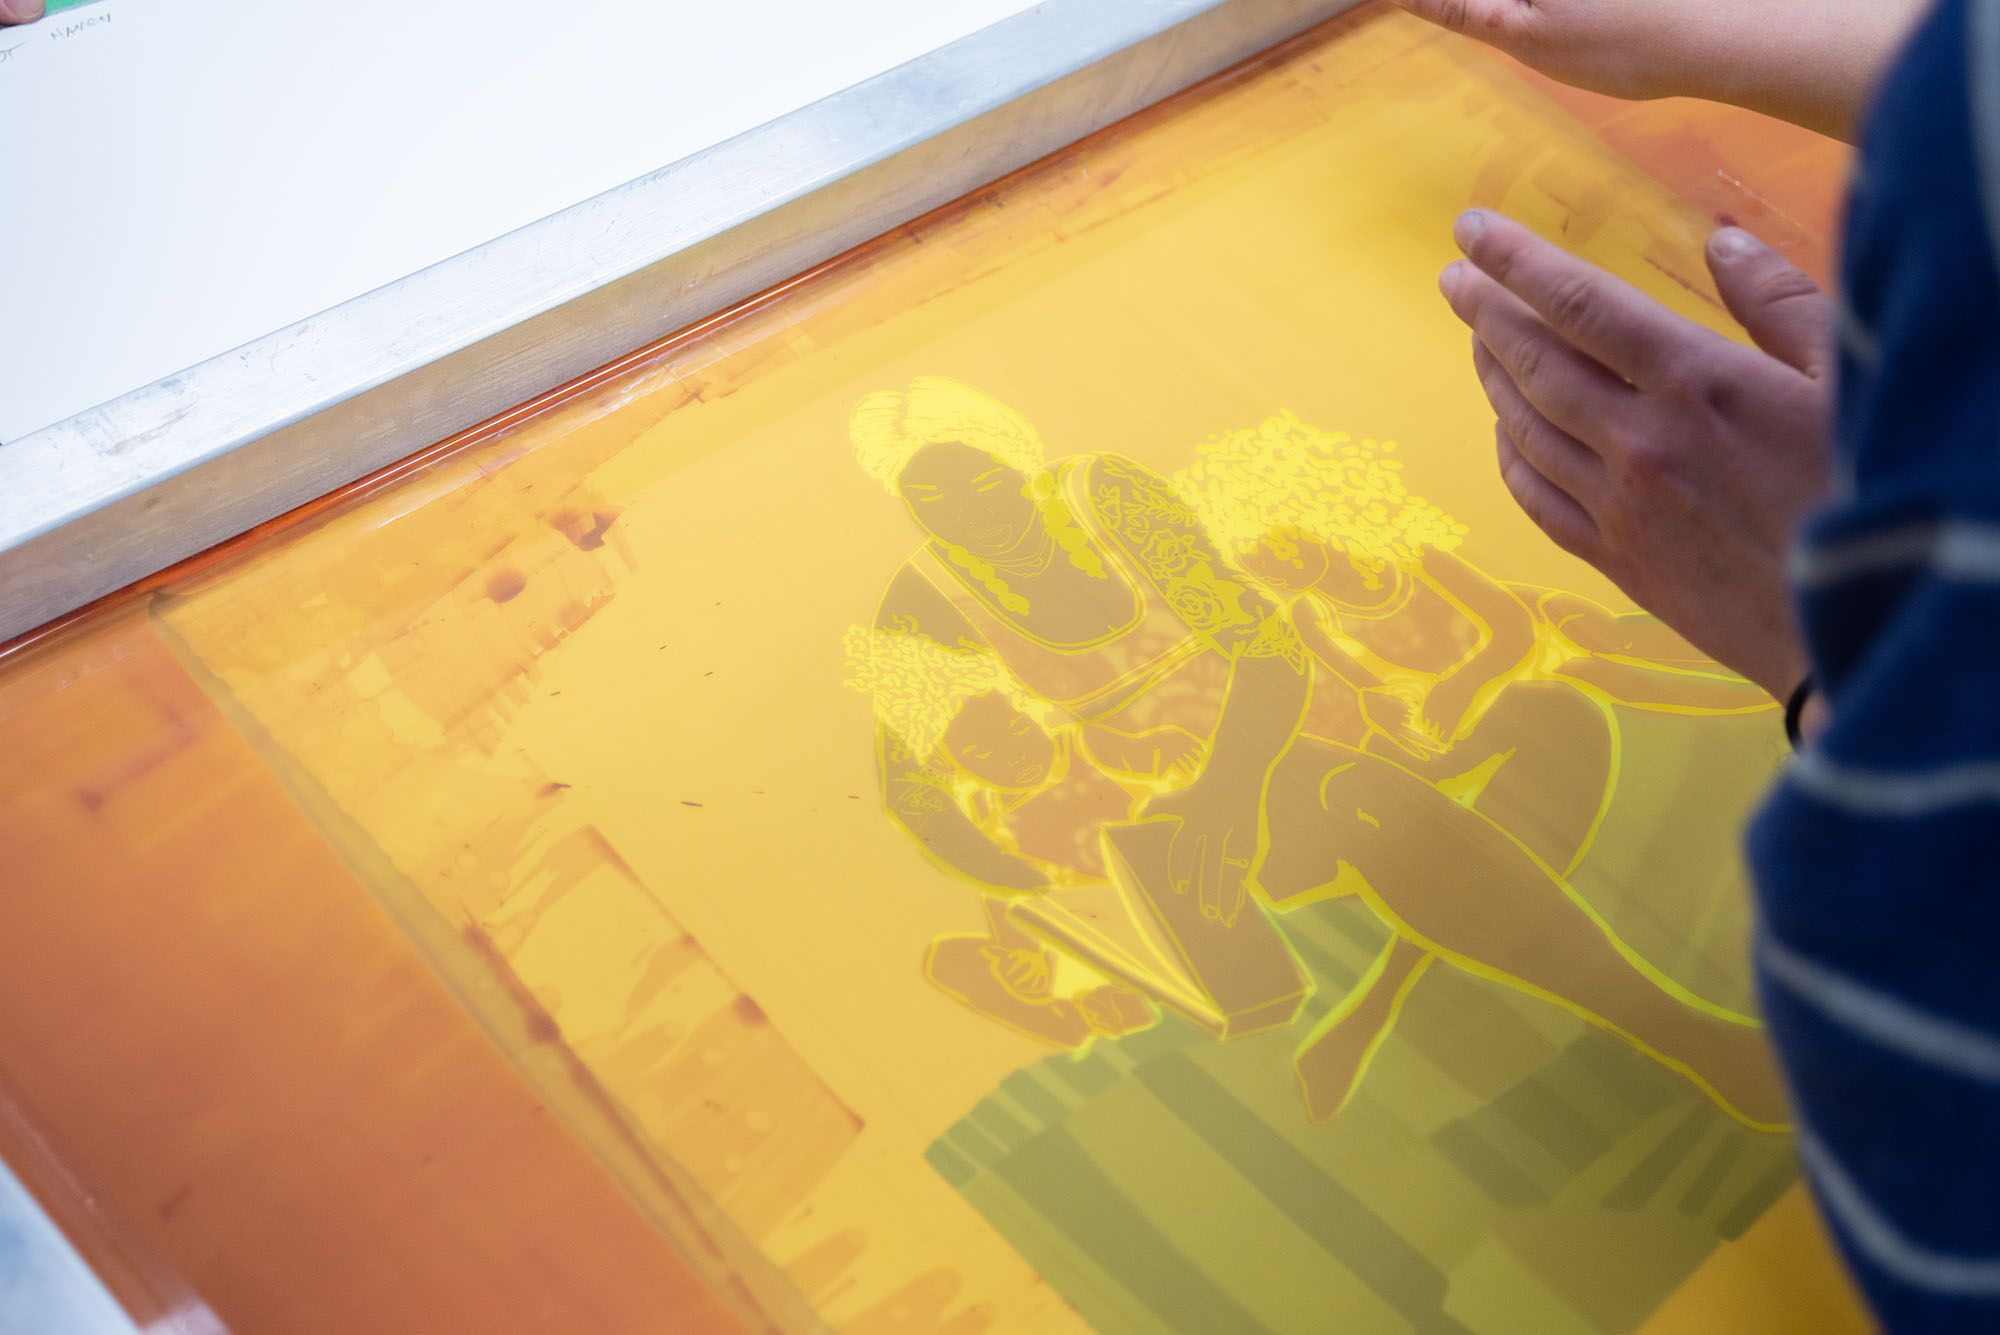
(1671, 459)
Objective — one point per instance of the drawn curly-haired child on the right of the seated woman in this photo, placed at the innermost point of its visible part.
(1501, 694)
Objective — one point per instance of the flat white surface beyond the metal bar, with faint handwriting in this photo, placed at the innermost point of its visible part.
(183, 177)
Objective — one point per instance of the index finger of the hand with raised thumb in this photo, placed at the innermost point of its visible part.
(1595, 313)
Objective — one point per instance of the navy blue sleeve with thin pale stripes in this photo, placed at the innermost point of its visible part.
(1879, 856)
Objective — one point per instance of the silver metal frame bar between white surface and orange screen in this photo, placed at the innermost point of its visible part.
(149, 479)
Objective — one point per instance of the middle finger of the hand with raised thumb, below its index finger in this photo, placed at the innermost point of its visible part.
(1563, 385)
